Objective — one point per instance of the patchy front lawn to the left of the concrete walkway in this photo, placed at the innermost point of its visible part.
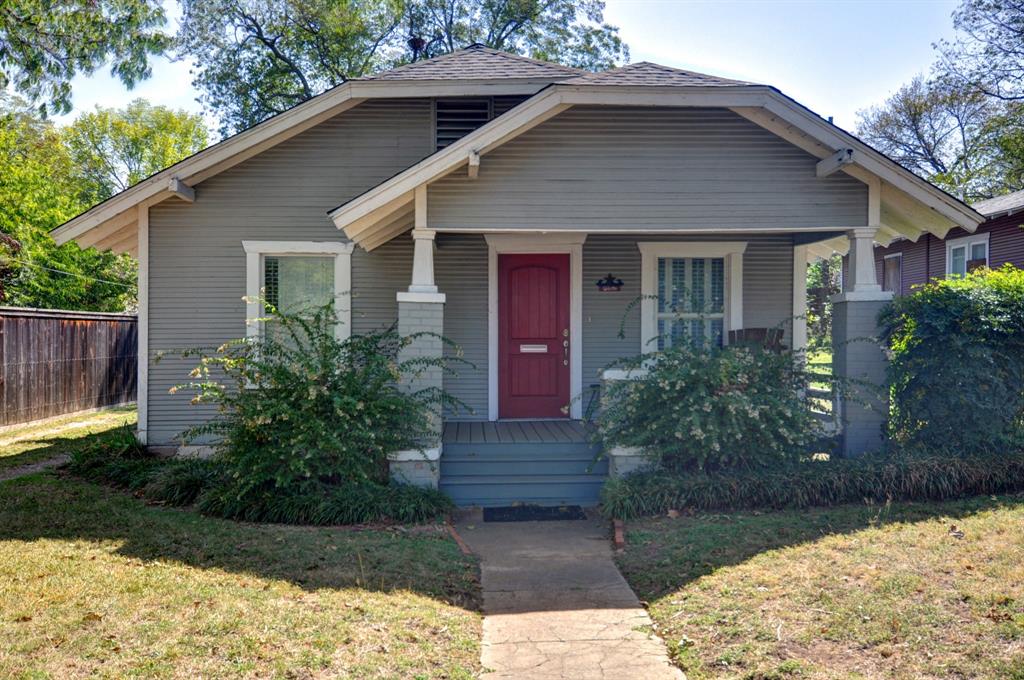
(95, 583)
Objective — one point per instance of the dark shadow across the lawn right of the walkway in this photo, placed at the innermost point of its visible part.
(664, 556)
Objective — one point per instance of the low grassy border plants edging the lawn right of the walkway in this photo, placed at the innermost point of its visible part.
(816, 483)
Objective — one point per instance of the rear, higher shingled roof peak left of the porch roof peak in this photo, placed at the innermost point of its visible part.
(479, 63)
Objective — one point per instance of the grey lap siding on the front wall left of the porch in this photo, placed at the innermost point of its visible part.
(198, 267)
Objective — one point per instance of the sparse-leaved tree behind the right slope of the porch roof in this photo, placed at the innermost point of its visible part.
(945, 134)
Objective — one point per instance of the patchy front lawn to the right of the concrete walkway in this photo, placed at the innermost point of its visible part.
(847, 592)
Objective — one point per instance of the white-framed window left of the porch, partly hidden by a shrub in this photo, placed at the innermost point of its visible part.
(297, 275)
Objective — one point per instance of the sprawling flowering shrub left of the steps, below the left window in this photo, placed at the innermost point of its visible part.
(303, 415)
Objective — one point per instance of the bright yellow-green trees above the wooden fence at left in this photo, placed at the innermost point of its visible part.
(49, 176)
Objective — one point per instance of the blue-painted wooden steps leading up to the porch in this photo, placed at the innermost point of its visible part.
(499, 475)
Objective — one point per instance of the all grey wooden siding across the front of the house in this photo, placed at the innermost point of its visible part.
(198, 265)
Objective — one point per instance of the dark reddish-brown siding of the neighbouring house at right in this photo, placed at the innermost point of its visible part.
(926, 260)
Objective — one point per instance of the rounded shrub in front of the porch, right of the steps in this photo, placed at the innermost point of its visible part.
(739, 407)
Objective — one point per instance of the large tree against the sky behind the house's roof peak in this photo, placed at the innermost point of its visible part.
(255, 59)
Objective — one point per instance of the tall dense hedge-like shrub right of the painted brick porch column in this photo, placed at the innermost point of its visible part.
(957, 374)
